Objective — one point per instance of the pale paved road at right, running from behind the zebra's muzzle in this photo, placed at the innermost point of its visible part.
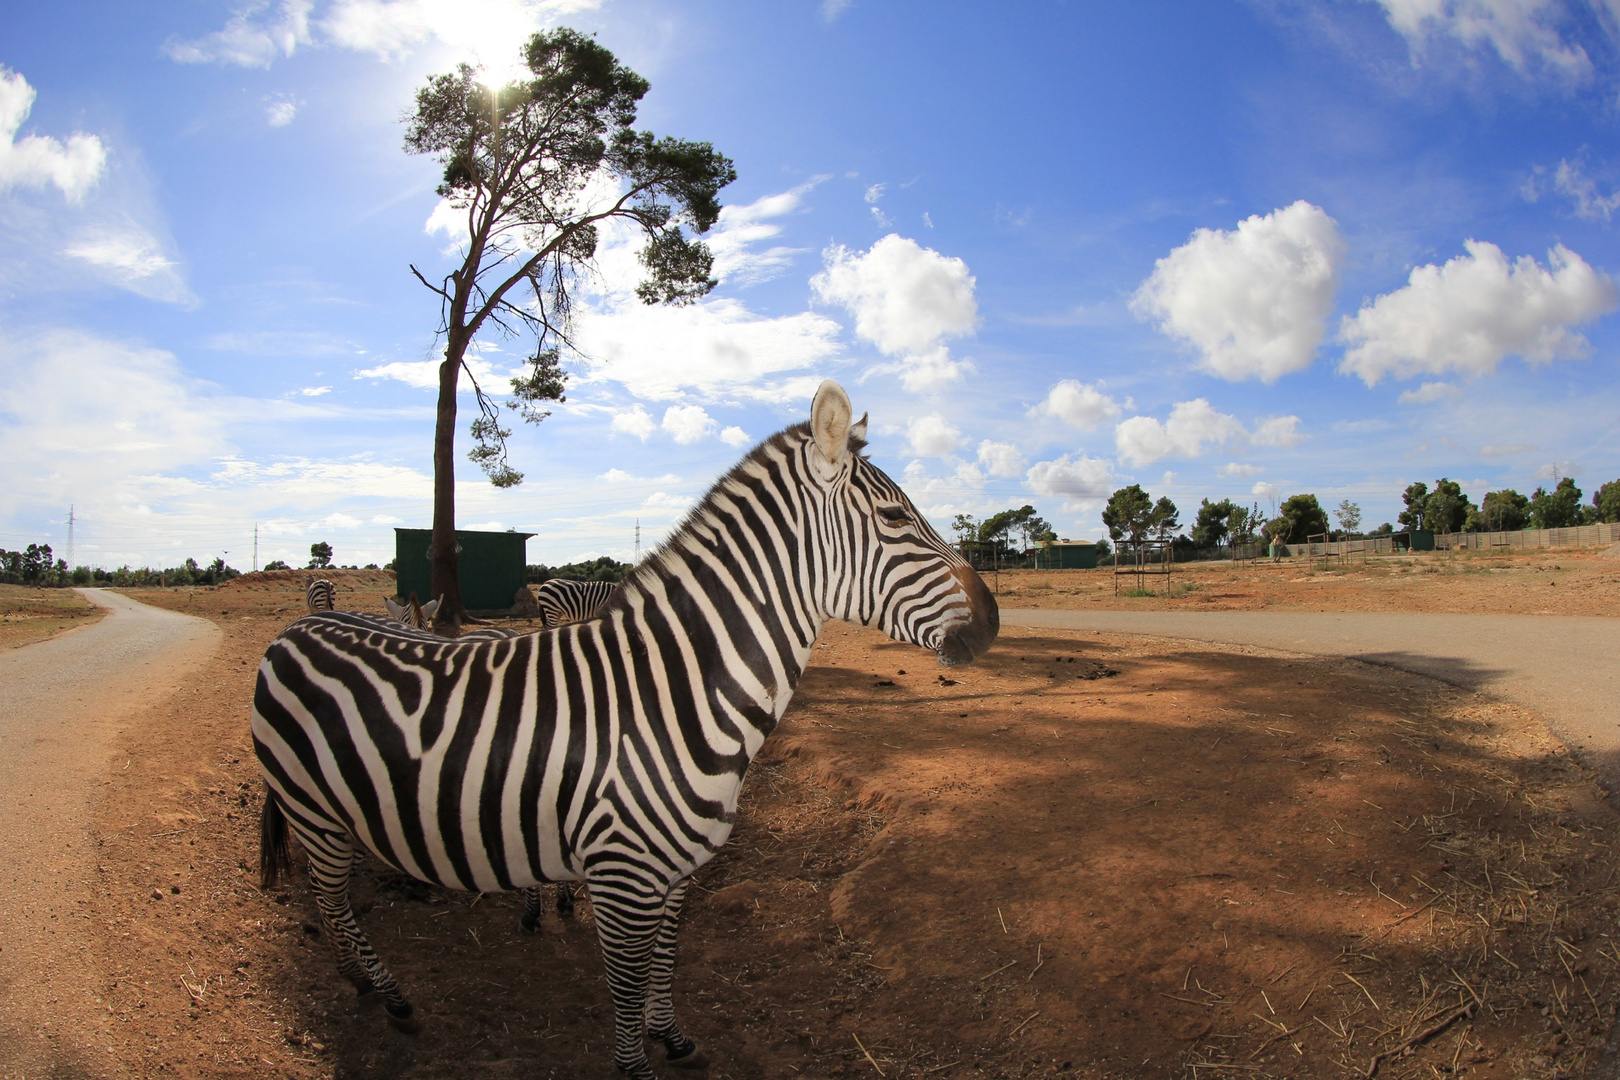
(1564, 668)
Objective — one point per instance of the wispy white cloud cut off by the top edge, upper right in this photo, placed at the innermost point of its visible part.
(1522, 33)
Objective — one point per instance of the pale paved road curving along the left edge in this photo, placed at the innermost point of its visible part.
(62, 705)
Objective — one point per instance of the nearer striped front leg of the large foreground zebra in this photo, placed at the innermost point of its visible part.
(629, 919)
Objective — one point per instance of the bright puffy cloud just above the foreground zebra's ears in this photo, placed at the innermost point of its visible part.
(908, 300)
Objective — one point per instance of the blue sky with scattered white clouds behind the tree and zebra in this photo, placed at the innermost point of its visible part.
(1222, 250)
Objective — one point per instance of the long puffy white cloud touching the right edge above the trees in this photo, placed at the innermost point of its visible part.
(1472, 313)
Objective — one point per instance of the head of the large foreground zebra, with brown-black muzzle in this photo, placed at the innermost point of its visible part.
(882, 564)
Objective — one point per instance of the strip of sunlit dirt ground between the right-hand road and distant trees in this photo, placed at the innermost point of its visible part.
(1566, 582)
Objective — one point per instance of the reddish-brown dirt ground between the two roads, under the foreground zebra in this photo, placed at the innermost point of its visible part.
(1086, 856)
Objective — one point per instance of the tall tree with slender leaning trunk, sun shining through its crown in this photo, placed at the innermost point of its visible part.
(534, 169)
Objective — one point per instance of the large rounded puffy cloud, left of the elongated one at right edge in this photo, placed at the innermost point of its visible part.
(1255, 302)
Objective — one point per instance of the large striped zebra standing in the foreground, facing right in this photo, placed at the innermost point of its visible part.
(610, 750)
